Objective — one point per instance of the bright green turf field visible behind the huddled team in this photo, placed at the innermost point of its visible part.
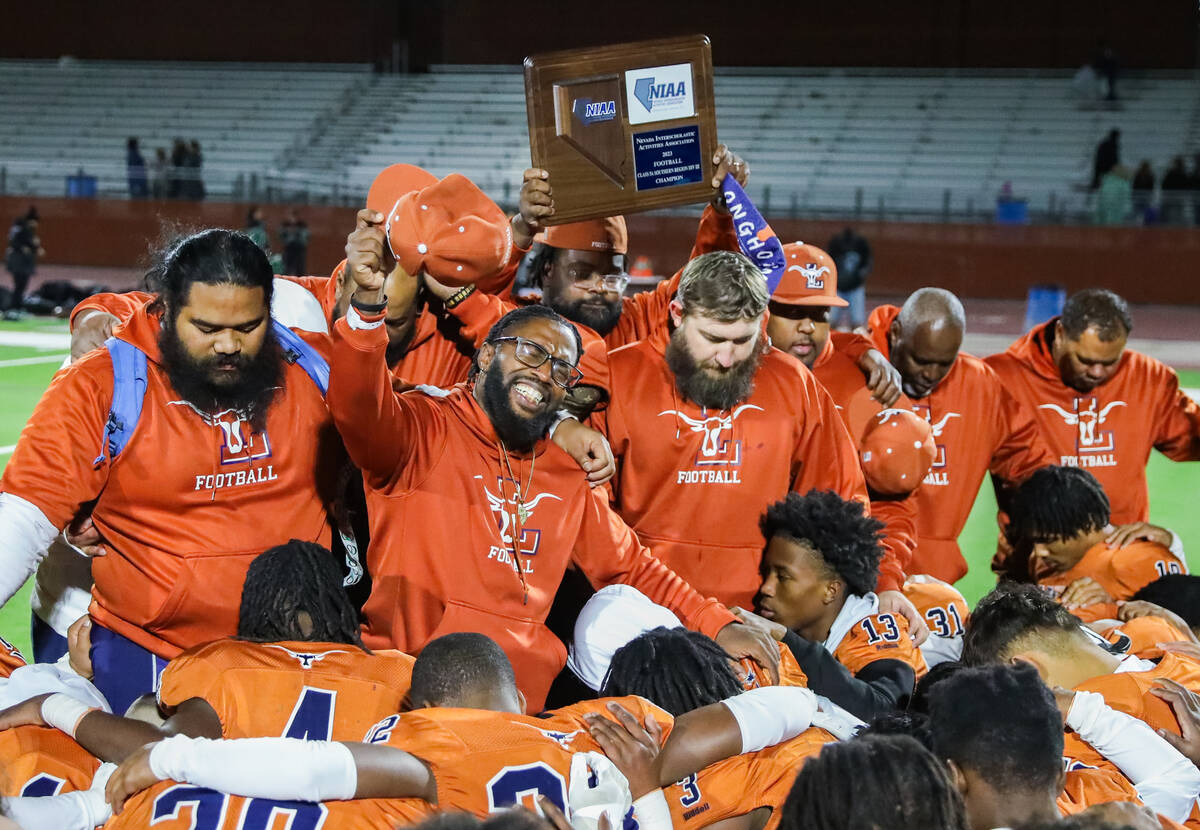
(1173, 488)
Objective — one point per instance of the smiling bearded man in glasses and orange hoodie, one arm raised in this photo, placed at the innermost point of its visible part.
(475, 513)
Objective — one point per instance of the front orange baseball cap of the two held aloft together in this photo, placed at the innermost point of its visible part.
(452, 231)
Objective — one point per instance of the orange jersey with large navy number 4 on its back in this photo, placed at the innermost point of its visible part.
(315, 691)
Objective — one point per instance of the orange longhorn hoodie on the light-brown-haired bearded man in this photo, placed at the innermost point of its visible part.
(694, 484)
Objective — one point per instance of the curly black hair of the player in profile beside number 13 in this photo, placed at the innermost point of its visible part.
(845, 538)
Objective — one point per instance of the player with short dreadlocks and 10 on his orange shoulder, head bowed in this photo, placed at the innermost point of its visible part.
(1061, 515)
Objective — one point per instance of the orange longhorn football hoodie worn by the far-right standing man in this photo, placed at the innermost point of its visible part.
(1112, 430)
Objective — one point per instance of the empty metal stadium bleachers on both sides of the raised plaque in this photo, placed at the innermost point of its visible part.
(886, 143)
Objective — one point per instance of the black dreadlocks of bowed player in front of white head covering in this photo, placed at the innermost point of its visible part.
(674, 669)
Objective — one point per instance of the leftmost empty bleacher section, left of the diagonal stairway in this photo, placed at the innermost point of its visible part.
(62, 117)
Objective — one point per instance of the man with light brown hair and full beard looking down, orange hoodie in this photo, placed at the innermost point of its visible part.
(710, 425)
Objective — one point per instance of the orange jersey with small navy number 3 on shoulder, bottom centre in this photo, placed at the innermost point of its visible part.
(743, 784)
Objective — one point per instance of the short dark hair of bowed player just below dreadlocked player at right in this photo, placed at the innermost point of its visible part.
(1012, 611)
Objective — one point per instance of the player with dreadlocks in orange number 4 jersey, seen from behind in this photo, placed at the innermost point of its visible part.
(298, 669)
